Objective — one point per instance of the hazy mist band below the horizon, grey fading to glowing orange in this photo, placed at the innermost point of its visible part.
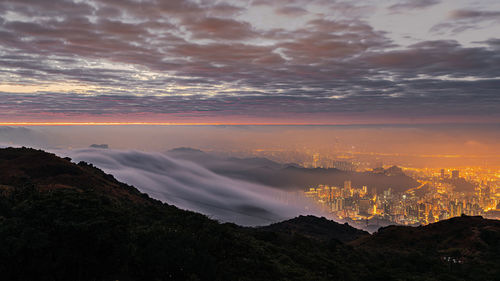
(431, 146)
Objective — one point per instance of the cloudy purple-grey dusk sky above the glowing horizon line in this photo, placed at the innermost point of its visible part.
(260, 61)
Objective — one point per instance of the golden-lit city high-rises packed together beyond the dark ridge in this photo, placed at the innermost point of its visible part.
(435, 199)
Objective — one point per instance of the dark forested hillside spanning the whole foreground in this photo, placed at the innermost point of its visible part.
(66, 221)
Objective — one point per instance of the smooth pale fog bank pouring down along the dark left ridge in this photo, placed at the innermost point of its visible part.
(188, 185)
